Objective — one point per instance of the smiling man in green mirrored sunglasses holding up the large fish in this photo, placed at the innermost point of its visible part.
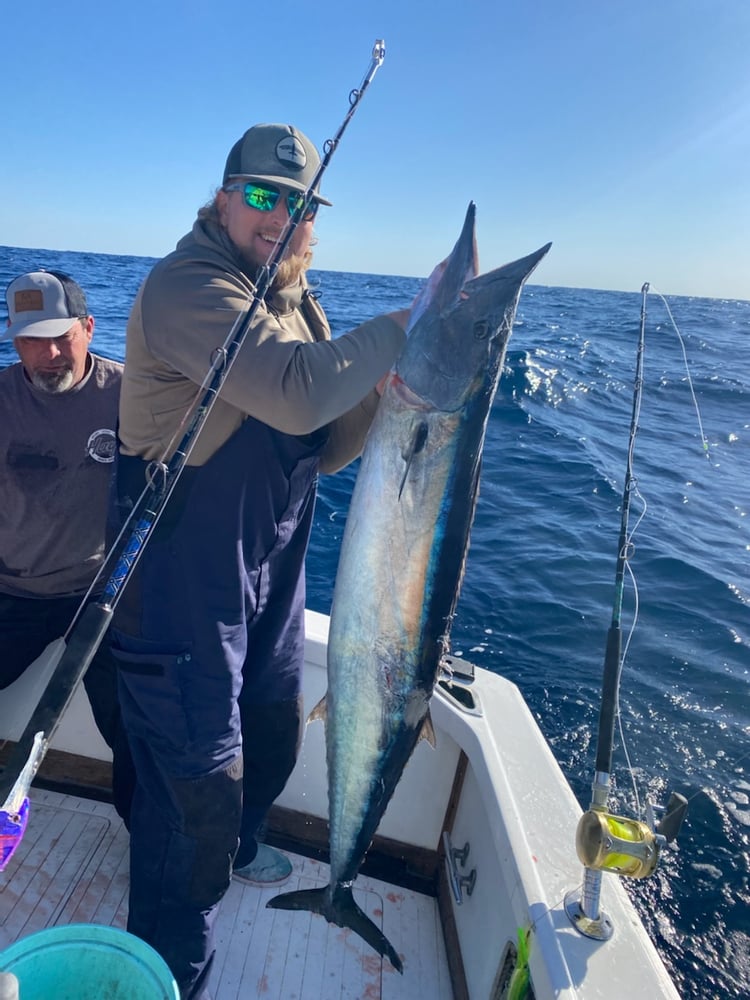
(209, 633)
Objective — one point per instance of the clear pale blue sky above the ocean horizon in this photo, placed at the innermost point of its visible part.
(620, 131)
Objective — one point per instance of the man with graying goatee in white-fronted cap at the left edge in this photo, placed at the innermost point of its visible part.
(58, 415)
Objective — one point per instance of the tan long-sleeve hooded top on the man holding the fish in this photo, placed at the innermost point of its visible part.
(289, 373)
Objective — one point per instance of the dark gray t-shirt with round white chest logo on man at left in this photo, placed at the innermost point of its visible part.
(56, 460)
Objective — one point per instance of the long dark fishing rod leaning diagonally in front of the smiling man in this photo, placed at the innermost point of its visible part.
(91, 624)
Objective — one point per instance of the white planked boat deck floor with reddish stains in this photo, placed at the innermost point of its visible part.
(72, 867)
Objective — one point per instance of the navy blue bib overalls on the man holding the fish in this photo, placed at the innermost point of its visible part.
(209, 639)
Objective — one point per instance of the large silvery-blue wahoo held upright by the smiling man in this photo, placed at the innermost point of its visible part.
(402, 557)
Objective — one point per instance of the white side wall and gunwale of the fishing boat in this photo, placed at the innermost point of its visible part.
(492, 783)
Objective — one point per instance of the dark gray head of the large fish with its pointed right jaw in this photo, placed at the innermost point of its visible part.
(457, 346)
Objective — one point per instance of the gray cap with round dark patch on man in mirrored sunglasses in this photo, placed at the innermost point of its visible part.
(278, 154)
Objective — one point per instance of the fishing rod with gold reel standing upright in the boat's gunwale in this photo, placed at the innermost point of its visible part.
(604, 841)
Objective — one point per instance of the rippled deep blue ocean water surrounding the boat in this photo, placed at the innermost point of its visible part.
(537, 598)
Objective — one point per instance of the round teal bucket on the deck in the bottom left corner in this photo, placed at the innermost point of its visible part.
(88, 962)
